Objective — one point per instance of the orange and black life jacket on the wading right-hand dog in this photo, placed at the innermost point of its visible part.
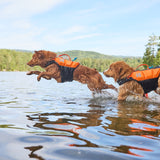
(148, 79)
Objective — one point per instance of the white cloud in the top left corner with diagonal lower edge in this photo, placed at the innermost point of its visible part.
(25, 8)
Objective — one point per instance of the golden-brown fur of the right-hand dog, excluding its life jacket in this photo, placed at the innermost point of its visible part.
(119, 70)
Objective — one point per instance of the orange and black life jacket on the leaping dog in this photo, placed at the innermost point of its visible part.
(66, 68)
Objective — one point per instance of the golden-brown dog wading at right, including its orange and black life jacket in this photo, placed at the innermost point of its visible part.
(134, 83)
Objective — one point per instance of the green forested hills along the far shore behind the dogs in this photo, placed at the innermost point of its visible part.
(16, 60)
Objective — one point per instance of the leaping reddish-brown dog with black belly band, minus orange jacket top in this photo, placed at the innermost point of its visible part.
(83, 74)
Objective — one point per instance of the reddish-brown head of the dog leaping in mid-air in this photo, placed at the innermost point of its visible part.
(40, 58)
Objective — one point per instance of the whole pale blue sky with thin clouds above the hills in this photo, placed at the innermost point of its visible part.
(112, 27)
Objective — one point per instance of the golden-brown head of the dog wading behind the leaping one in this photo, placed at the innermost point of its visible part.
(118, 70)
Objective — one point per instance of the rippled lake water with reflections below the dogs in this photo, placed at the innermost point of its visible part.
(50, 121)
